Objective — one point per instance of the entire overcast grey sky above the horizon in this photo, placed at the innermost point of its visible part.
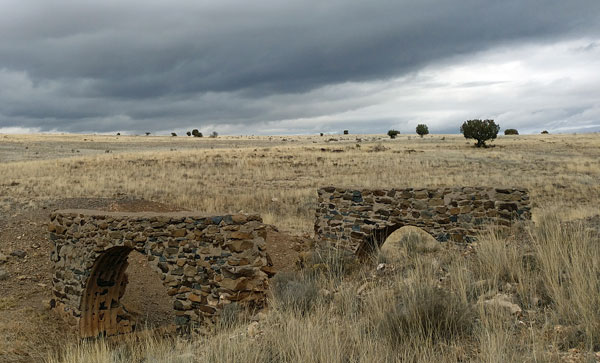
(294, 67)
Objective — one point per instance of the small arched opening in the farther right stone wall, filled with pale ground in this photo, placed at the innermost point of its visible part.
(408, 239)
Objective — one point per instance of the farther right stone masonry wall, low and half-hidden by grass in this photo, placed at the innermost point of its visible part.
(362, 219)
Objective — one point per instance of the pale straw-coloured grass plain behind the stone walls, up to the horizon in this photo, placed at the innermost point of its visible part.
(278, 178)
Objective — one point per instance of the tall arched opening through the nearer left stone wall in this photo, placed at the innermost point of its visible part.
(103, 305)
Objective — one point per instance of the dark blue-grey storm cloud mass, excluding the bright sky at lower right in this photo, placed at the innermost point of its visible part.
(134, 65)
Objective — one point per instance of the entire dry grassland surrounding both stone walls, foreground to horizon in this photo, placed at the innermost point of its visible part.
(530, 294)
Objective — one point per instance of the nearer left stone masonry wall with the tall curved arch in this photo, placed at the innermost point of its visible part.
(205, 262)
